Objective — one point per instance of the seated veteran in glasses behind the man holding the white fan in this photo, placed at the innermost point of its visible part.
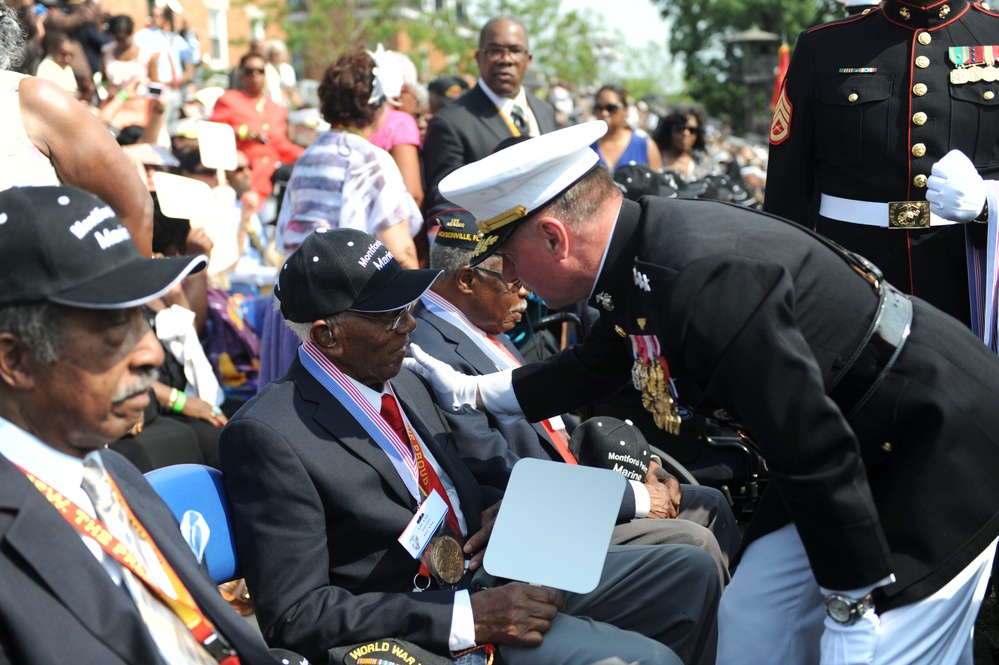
(462, 319)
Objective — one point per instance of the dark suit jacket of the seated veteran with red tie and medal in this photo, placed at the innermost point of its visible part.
(317, 510)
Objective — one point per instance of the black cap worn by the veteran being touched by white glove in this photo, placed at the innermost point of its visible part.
(339, 269)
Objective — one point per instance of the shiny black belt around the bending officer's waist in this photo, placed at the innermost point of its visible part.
(874, 357)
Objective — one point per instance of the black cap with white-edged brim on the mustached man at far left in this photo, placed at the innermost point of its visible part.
(66, 246)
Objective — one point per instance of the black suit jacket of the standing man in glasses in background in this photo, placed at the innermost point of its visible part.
(468, 129)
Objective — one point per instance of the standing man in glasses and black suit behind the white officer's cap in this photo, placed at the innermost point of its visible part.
(498, 108)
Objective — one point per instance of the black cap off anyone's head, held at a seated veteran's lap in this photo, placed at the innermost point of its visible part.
(609, 443)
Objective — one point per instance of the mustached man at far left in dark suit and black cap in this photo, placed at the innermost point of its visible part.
(76, 359)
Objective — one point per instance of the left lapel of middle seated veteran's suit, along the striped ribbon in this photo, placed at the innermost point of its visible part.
(343, 427)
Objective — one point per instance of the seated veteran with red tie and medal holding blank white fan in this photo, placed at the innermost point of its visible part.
(327, 467)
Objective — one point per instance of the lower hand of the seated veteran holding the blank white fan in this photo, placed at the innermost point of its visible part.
(518, 614)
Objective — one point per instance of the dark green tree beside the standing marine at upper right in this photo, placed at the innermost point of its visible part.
(698, 32)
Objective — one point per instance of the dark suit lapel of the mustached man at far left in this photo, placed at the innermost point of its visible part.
(51, 547)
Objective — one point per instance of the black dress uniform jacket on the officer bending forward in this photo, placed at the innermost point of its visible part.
(756, 317)
